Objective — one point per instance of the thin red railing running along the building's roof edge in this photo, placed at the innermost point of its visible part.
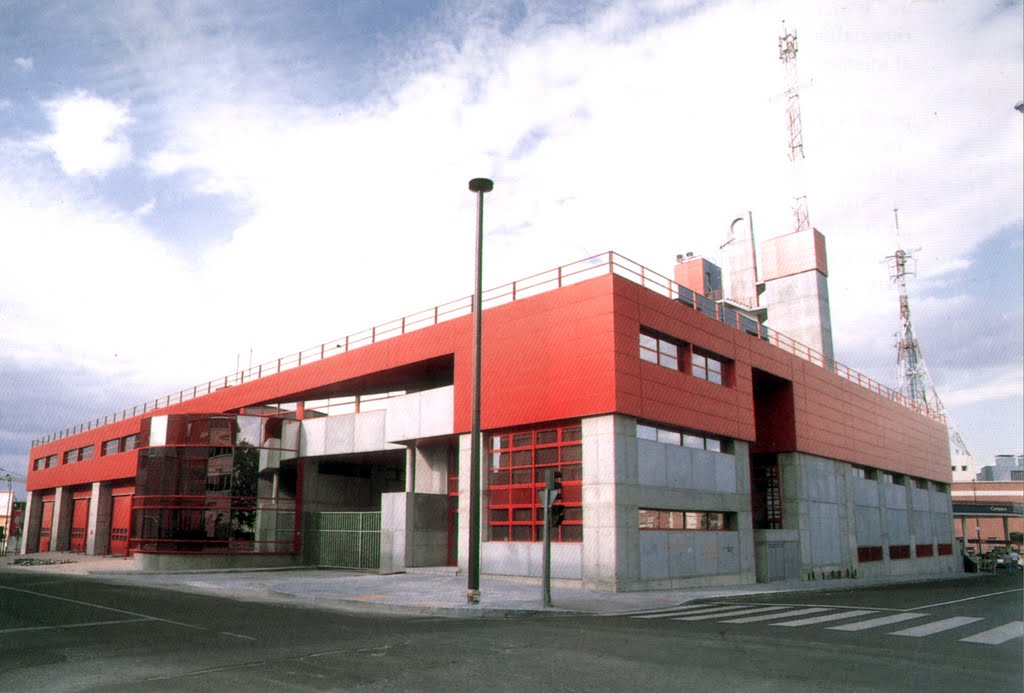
(581, 271)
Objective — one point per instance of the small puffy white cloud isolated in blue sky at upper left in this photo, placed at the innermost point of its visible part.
(88, 135)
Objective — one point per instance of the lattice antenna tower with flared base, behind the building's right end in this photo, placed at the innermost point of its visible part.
(913, 379)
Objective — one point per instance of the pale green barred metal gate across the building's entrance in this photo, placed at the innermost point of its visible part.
(346, 541)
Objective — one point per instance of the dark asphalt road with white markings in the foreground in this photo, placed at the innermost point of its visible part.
(63, 633)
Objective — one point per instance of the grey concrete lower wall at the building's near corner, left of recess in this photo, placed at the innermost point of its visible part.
(623, 474)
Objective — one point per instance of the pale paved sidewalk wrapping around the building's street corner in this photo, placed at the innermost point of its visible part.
(423, 591)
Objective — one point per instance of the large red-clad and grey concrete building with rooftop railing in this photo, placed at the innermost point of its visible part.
(698, 446)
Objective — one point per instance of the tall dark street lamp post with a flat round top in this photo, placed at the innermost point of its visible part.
(480, 187)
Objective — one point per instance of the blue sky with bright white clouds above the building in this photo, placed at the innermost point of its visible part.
(184, 185)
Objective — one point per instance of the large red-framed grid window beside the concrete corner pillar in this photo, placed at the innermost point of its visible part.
(519, 461)
